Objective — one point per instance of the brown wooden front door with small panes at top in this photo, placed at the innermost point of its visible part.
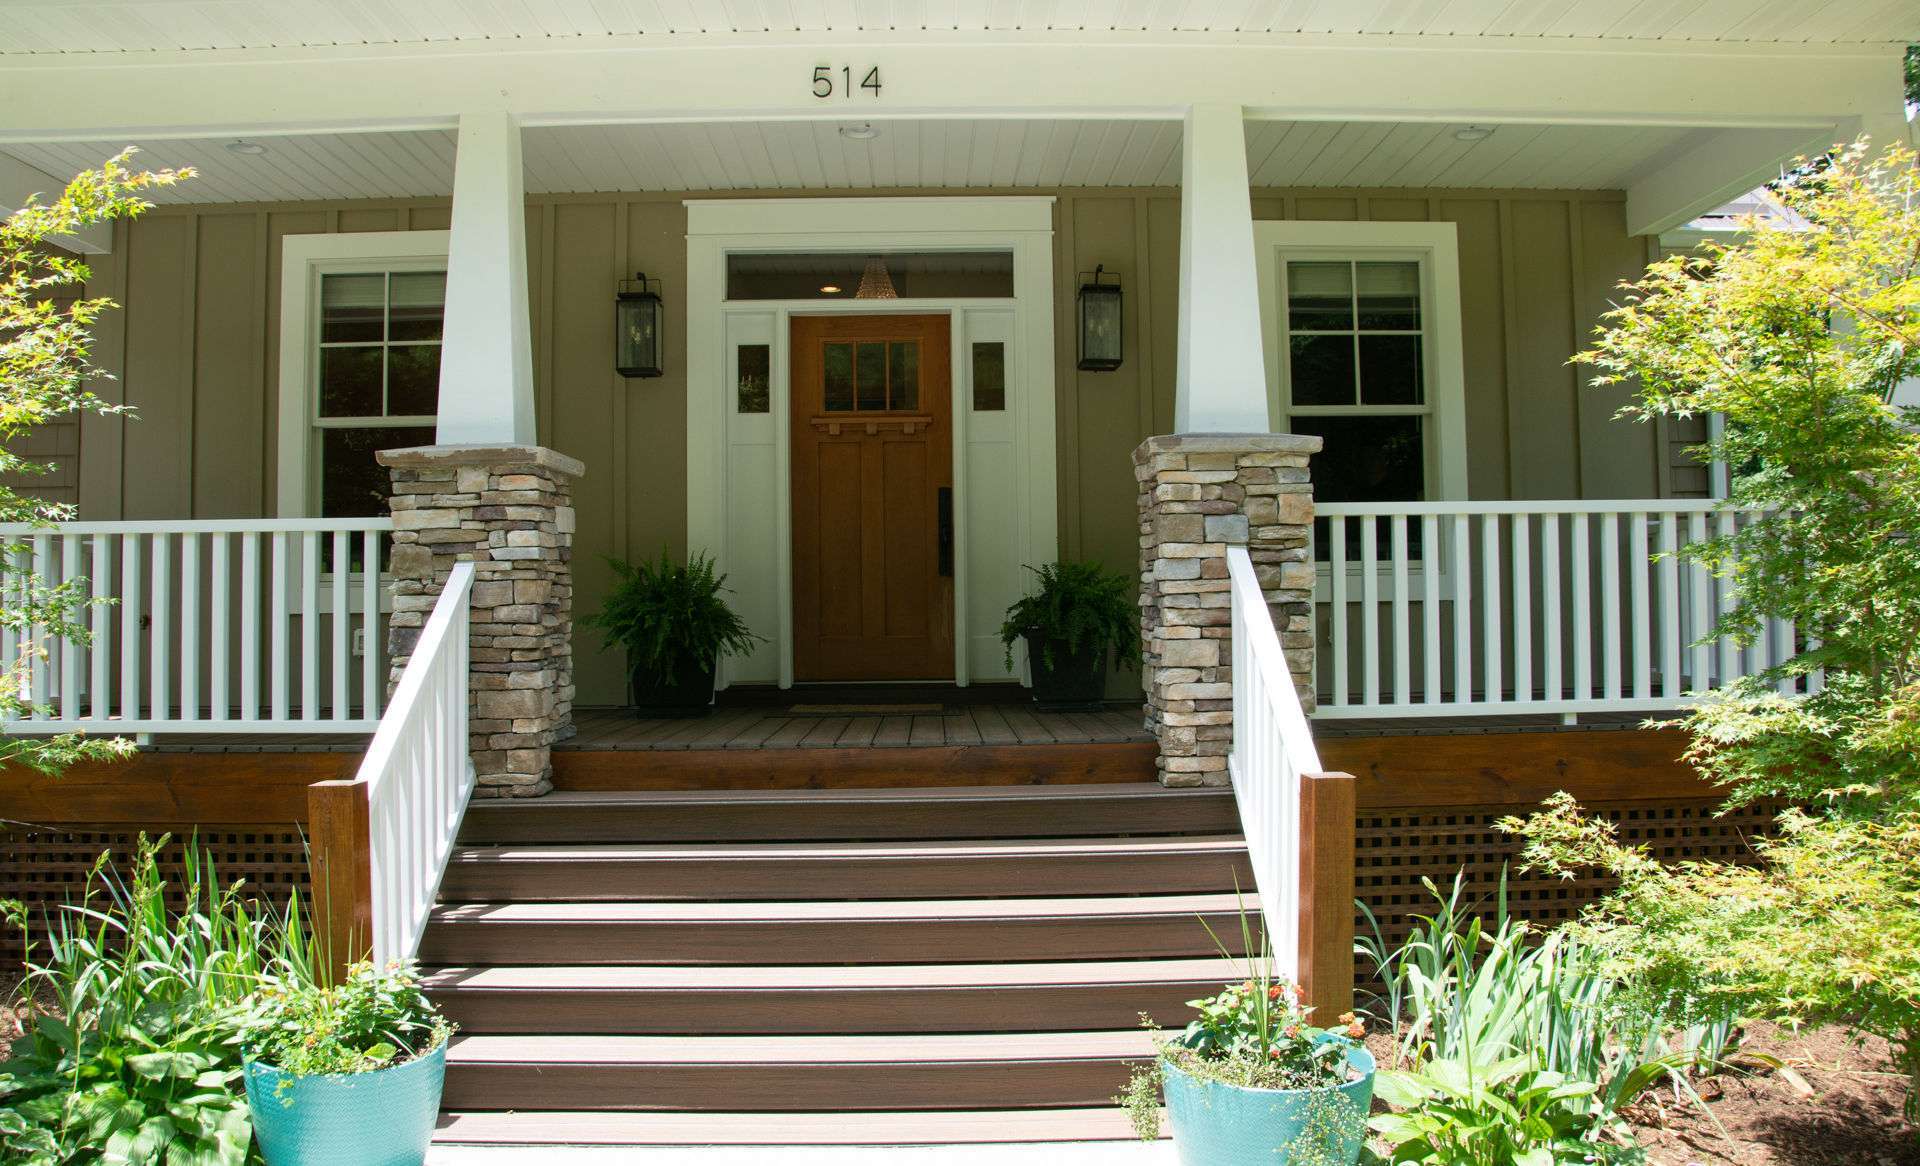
(873, 498)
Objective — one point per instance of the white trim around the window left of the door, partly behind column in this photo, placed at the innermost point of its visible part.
(304, 260)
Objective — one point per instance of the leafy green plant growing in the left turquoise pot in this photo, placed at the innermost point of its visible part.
(375, 1019)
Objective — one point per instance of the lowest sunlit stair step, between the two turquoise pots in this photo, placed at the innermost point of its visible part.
(840, 1129)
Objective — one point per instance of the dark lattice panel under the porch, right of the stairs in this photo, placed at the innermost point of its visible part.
(1395, 850)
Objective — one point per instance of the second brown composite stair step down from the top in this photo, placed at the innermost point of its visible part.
(848, 869)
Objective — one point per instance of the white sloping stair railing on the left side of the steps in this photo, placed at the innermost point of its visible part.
(418, 777)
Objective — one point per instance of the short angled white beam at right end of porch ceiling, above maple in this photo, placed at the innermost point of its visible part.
(1712, 170)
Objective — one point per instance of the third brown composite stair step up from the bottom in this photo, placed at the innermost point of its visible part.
(821, 1000)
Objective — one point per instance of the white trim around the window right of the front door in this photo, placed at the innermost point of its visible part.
(1437, 247)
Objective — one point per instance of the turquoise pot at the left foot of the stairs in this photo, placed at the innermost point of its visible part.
(379, 1119)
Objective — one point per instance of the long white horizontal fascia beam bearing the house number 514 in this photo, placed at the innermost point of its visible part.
(1433, 80)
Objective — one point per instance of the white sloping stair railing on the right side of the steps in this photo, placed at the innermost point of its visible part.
(1272, 754)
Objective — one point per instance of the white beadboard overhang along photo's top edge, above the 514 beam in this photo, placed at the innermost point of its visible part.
(162, 26)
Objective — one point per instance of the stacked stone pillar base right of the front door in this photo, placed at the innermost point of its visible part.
(1199, 497)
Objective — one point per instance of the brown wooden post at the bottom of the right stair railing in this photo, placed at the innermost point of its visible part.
(1328, 808)
